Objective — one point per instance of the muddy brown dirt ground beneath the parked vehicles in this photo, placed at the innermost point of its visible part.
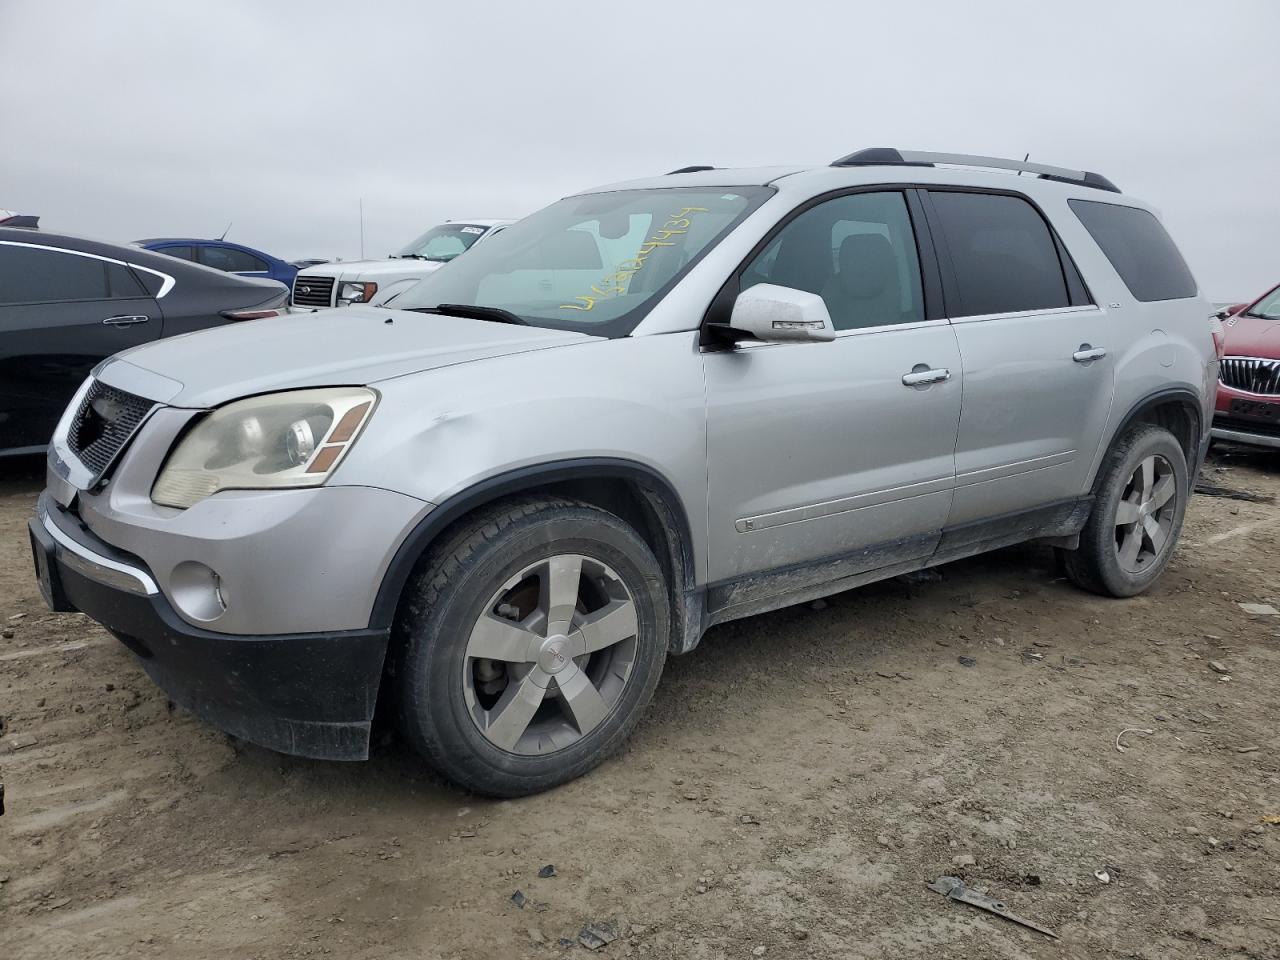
(798, 781)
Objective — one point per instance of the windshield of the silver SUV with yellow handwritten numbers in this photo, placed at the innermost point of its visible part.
(595, 263)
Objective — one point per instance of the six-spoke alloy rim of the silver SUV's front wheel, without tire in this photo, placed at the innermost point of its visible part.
(551, 655)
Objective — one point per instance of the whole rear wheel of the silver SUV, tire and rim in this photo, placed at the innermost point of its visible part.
(1119, 557)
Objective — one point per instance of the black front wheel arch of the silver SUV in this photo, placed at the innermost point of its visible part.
(636, 492)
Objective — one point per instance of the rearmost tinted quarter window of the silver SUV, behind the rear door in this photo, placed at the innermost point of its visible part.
(1140, 249)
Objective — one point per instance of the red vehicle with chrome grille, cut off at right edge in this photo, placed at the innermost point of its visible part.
(1249, 388)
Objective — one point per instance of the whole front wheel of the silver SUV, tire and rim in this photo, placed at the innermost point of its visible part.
(525, 719)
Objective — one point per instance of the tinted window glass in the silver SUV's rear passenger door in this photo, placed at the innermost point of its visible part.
(1004, 255)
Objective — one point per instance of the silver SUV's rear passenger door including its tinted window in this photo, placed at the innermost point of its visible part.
(1039, 355)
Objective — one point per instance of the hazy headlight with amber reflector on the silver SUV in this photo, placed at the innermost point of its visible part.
(282, 440)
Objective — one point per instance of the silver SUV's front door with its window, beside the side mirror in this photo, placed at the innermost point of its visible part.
(824, 451)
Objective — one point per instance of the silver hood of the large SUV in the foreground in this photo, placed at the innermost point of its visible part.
(353, 346)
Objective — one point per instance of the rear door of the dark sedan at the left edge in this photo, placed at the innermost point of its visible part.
(61, 314)
